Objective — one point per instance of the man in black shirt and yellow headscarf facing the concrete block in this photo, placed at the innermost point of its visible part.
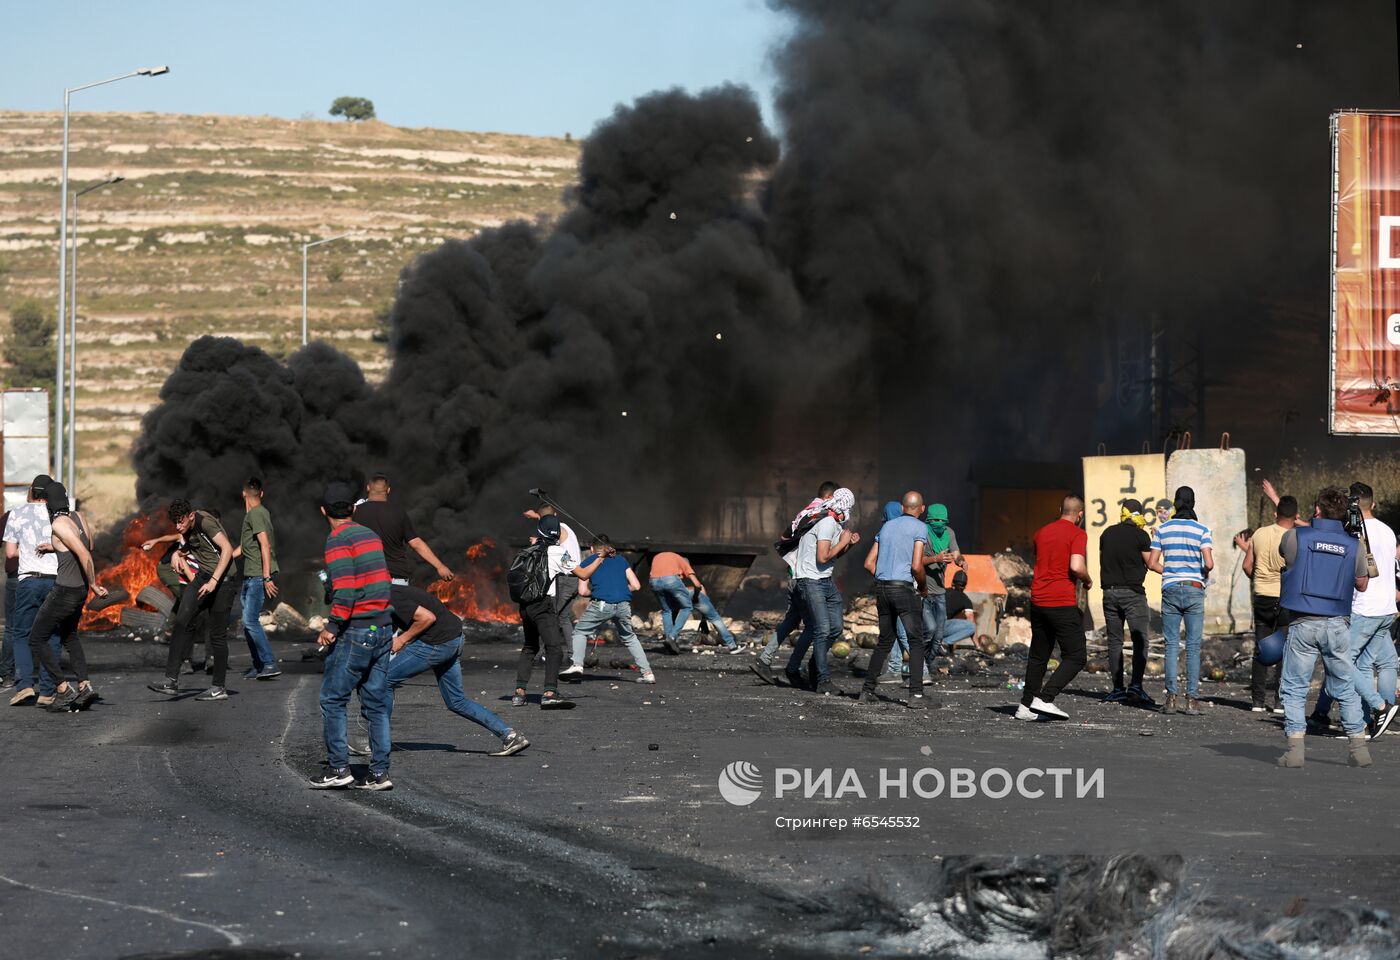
(1123, 553)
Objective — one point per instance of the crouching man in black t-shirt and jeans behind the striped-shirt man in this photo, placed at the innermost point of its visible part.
(432, 639)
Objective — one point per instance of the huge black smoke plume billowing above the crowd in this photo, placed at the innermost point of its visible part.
(979, 215)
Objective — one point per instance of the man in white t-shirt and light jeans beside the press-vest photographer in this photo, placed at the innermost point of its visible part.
(1373, 615)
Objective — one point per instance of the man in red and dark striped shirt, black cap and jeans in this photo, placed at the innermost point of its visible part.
(359, 633)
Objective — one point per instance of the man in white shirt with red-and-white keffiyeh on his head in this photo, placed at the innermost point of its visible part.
(813, 566)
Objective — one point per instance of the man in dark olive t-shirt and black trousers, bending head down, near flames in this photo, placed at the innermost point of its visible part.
(211, 593)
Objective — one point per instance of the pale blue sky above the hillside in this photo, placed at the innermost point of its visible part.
(516, 66)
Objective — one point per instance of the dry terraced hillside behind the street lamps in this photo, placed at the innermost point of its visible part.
(206, 233)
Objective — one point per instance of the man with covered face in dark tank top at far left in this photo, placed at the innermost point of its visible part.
(64, 607)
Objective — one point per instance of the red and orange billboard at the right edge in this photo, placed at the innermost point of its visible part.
(1364, 391)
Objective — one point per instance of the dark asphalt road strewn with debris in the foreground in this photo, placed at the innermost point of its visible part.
(181, 829)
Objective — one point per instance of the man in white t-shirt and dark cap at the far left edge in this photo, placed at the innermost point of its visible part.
(27, 538)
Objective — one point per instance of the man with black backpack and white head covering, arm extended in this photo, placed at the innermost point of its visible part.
(533, 584)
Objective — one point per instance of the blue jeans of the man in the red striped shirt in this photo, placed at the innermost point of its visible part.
(359, 663)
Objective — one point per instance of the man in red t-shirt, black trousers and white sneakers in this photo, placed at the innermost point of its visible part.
(1055, 611)
